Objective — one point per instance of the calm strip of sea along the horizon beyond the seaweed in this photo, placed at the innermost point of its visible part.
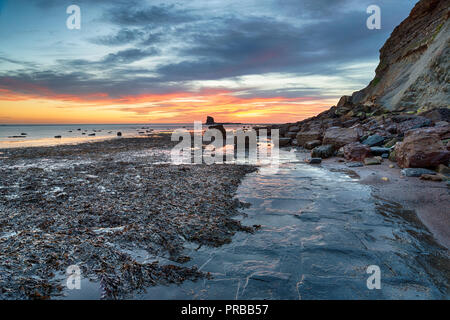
(12, 136)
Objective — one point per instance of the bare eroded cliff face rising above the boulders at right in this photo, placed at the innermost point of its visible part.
(413, 73)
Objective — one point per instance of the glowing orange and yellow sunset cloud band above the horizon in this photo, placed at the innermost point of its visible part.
(34, 104)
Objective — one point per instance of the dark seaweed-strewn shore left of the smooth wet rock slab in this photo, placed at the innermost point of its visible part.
(98, 205)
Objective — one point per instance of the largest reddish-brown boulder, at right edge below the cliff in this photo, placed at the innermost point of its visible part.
(422, 149)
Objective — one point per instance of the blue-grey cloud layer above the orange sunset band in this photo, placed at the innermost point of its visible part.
(187, 46)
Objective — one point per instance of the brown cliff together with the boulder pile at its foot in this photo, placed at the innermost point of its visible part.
(404, 113)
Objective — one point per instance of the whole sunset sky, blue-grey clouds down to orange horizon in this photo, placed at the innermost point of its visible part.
(251, 61)
